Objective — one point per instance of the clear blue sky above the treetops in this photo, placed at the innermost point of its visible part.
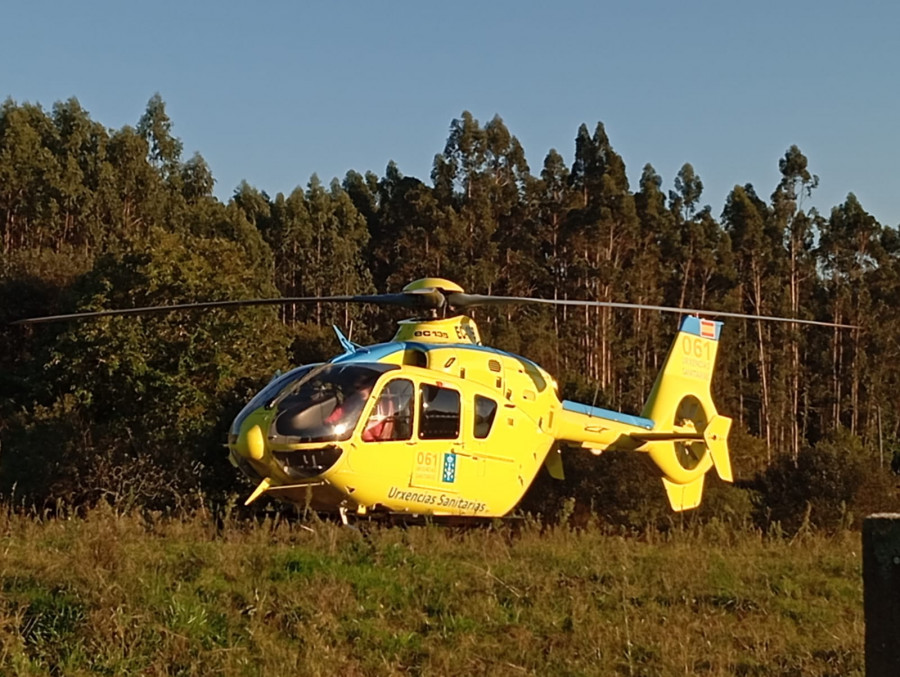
(272, 92)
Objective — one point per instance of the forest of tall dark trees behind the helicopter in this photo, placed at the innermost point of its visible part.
(133, 411)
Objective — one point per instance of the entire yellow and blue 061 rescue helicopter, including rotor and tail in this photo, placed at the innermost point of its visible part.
(435, 423)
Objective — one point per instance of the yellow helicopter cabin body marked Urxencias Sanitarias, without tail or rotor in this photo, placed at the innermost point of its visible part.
(470, 427)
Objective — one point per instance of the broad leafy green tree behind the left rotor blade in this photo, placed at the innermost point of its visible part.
(138, 402)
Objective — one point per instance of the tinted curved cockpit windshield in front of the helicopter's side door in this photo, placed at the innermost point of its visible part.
(326, 404)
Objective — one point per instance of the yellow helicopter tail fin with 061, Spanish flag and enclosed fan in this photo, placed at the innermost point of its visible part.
(689, 436)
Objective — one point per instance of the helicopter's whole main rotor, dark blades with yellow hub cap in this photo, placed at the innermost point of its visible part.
(427, 294)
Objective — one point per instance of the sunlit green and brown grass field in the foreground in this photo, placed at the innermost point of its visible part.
(127, 595)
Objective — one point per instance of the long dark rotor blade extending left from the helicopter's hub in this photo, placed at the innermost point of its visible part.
(424, 299)
